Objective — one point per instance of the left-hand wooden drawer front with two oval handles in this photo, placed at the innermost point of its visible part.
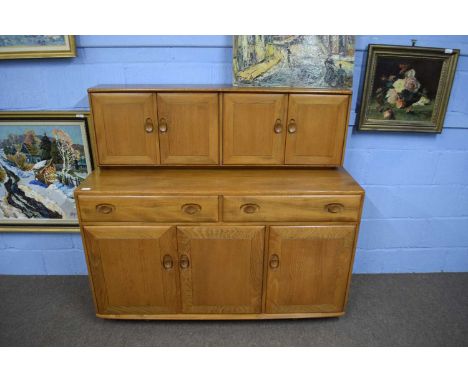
(148, 208)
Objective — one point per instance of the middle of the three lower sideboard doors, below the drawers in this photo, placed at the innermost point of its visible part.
(221, 269)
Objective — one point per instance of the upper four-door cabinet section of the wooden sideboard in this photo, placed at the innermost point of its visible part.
(220, 126)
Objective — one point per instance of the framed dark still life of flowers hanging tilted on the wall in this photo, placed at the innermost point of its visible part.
(407, 88)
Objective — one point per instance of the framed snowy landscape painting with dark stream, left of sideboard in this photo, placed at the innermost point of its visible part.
(43, 158)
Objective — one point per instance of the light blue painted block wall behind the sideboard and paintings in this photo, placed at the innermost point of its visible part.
(416, 209)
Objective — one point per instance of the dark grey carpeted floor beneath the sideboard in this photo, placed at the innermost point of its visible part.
(383, 310)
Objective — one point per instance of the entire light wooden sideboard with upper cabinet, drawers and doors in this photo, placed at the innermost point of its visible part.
(227, 211)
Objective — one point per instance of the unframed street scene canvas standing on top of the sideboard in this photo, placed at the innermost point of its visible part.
(312, 61)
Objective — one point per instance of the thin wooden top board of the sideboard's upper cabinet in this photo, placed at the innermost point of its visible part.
(209, 88)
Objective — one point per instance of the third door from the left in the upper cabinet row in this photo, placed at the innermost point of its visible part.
(253, 128)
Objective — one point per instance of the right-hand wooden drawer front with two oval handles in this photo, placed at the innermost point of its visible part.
(291, 208)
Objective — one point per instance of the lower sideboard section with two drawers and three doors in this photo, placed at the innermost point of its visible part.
(211, 244)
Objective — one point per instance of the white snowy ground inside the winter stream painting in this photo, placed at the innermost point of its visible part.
(56, 197)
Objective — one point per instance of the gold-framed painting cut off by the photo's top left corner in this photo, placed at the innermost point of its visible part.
(36, 46)
